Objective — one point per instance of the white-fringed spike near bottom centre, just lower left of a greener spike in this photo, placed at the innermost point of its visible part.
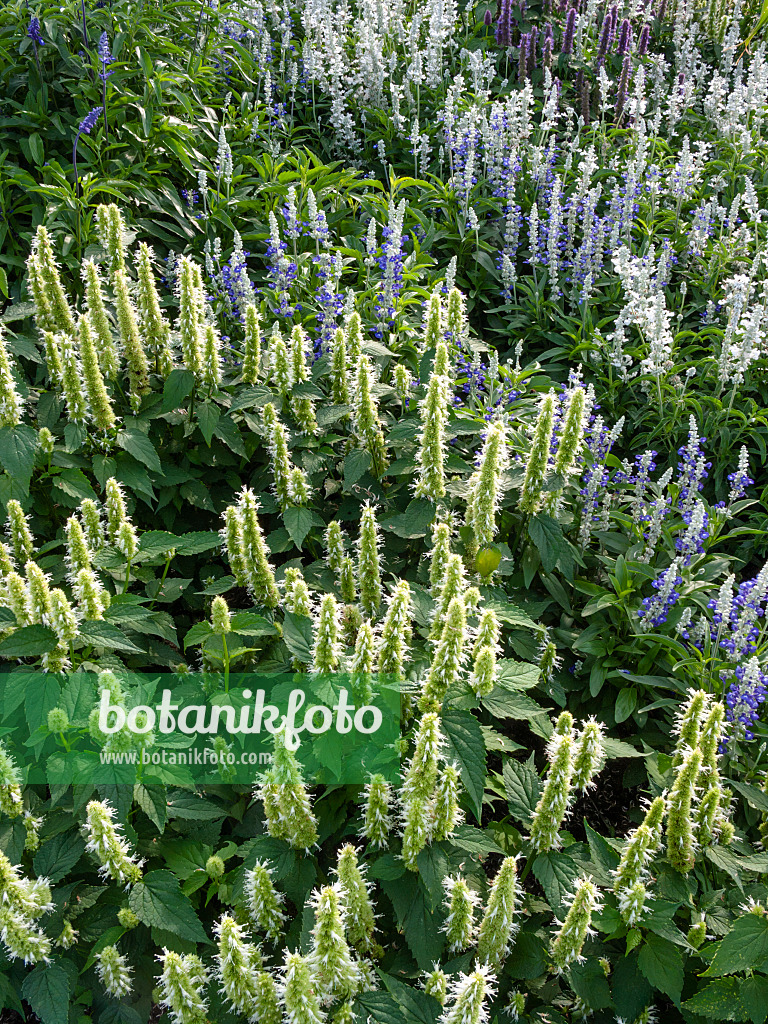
(330, 958)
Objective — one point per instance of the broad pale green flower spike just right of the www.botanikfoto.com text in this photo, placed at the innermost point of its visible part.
(287, 806)
